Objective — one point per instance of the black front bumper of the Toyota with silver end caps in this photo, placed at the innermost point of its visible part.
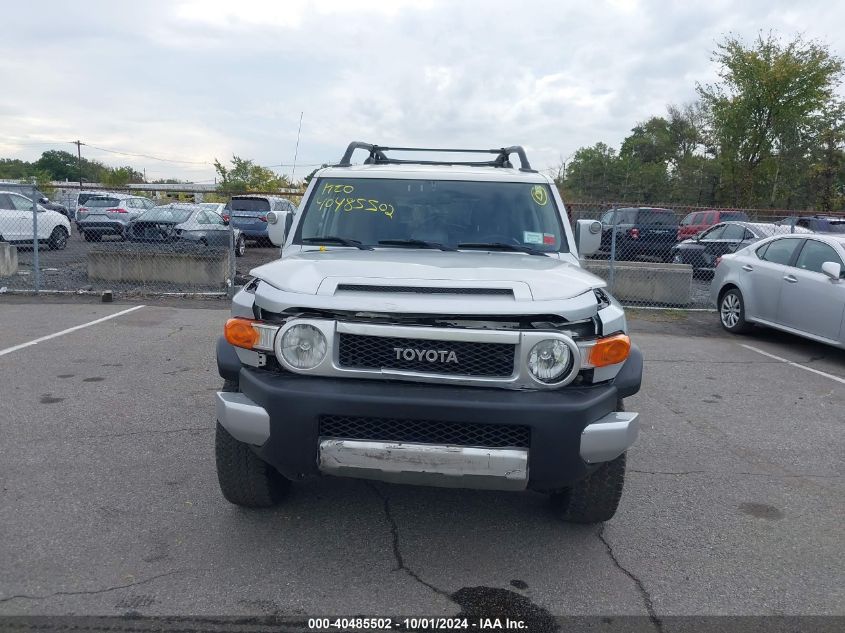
(571, 430)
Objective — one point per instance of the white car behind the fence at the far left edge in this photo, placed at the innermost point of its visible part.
(16, 222)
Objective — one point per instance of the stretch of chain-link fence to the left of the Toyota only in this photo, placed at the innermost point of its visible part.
(132, 243)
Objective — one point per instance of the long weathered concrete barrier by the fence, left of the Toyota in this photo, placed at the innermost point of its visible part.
(182, 267)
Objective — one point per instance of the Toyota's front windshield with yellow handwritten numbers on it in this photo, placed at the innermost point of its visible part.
(447, 212)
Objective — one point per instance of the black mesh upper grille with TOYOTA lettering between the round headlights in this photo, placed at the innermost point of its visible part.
(458, 358)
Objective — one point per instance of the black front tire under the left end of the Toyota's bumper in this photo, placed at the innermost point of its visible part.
(245, 479)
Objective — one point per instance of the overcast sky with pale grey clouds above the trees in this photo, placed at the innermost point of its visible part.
(192, 80)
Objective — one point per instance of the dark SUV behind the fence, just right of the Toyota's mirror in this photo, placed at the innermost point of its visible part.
(640, 231)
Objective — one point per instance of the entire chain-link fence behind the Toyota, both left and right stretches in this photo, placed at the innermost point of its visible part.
(147, 242)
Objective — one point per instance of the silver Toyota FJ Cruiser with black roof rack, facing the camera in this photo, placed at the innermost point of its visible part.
(428, 322)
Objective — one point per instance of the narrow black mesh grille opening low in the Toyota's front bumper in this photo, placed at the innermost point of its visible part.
(424, 431)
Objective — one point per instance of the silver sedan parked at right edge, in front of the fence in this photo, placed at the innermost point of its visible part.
(794, 283)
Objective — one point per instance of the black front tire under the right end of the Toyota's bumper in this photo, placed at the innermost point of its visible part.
(595, 498)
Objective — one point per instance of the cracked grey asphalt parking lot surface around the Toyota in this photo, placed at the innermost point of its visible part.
(733, 502)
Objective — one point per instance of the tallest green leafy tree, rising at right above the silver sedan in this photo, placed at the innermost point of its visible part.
(761, 113)
